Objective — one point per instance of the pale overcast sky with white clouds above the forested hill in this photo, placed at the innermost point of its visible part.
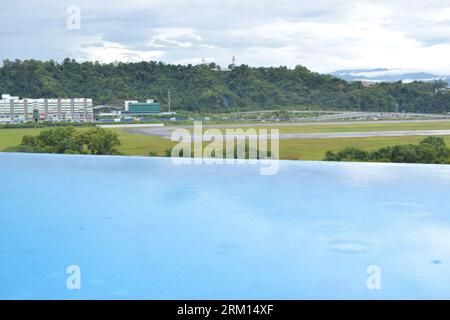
(323, 35)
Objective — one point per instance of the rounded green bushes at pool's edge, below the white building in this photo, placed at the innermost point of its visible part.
(68, 140)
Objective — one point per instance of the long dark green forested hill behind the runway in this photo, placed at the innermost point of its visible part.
(204, 88)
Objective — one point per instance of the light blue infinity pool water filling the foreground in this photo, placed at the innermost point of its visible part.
(147, 229)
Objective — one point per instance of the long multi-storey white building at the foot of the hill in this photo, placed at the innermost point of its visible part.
(15, 110)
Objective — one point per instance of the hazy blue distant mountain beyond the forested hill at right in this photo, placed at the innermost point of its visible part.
(387, 75)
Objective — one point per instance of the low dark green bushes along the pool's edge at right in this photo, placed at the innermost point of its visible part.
(429, 150)
